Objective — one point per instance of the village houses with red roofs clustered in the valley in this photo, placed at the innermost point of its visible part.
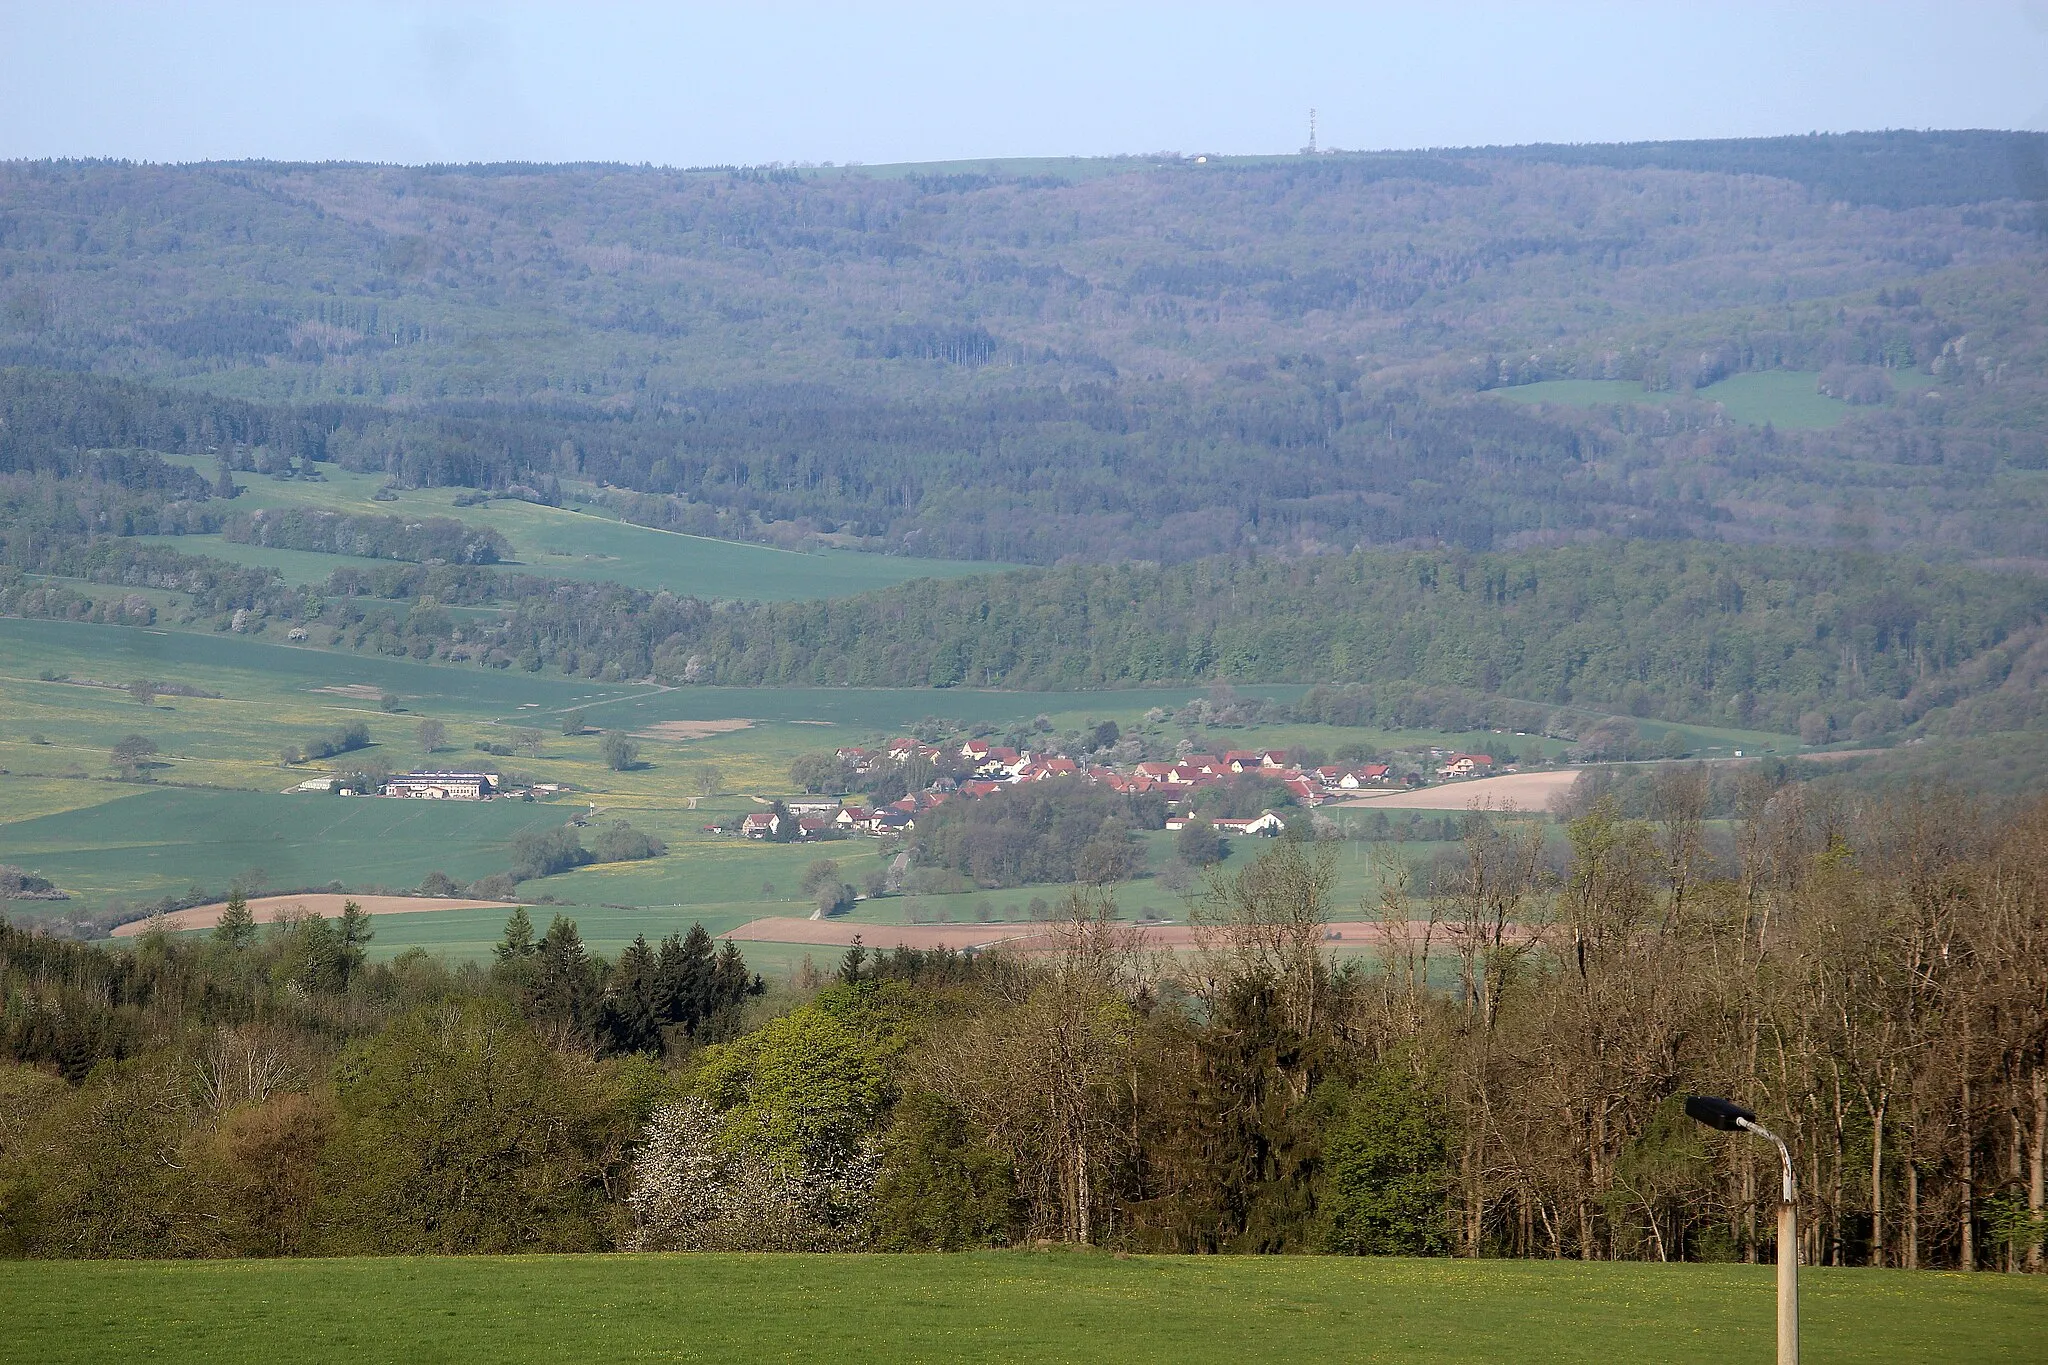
(990, 768)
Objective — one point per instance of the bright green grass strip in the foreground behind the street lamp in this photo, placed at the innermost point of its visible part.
(994, 1307)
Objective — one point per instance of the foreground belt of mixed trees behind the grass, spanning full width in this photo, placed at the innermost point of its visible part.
(1867, 973)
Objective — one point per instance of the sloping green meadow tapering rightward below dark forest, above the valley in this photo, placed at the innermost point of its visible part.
(572, 543)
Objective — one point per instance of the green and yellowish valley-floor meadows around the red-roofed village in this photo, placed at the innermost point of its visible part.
(216, 807)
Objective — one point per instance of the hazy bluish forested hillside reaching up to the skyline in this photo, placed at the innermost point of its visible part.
(1113, 359)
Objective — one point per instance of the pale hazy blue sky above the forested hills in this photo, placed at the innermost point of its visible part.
(794, 83)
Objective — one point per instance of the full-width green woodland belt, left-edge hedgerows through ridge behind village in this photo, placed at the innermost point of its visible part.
(1832, 646)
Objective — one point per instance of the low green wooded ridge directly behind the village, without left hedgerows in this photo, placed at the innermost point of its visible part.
(1682, 631)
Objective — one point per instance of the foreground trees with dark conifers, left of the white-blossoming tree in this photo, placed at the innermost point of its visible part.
(271, 1092)
